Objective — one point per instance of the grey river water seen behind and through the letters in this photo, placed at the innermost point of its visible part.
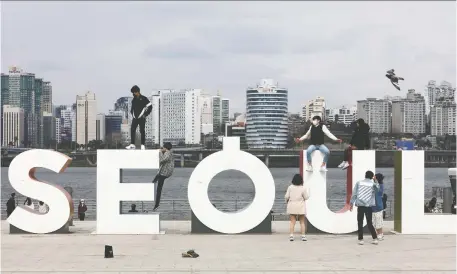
(226, 188)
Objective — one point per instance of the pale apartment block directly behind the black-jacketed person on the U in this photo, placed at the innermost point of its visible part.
(377, 113)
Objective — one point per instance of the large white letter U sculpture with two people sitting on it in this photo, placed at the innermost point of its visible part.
(318, 213)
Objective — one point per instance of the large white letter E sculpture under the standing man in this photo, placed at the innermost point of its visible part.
(111, 191)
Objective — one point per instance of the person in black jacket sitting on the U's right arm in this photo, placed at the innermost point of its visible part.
(360, 140)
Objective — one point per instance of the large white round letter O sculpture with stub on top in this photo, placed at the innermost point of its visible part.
(231, 158)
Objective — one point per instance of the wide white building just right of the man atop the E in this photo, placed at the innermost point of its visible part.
(180, 117)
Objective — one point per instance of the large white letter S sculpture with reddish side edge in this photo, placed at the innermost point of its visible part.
(21, 175)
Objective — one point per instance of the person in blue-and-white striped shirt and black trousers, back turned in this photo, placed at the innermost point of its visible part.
(363, 197)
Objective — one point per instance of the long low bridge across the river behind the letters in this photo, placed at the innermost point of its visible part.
(190, 157)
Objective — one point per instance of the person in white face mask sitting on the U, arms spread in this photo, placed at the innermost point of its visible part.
(316, 133)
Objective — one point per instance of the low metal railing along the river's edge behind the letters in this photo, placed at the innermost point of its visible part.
(179, 209)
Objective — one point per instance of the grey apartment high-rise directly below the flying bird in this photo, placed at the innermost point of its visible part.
(408, 114)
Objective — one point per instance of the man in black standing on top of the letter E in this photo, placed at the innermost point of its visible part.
(141, 108)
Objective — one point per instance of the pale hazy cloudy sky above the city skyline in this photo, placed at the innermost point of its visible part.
(336, 50)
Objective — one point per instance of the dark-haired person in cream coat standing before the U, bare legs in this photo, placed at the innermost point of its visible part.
(296, 196)
